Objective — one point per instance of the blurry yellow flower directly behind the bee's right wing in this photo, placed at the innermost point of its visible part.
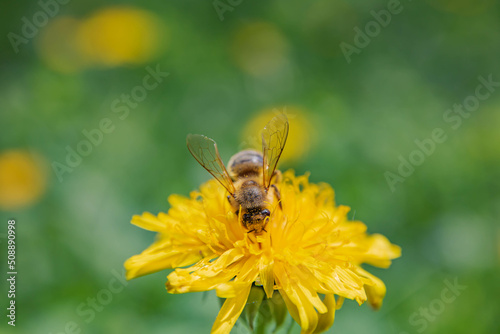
(299, 141)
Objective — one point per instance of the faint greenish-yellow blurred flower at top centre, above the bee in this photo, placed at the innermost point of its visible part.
(259, 49)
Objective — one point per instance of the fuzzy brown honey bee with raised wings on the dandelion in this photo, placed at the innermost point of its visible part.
(252, 177)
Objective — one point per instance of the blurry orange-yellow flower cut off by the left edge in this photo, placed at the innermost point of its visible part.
(23, 179)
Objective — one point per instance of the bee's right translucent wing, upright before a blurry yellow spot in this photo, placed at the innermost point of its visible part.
(273, 141)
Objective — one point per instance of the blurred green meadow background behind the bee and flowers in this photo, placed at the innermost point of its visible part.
(365, 115)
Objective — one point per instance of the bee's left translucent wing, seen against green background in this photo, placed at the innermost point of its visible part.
(204, 150)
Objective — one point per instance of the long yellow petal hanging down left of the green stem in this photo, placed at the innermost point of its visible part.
(230, 312)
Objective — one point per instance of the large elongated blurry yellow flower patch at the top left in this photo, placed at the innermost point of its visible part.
(112, 36)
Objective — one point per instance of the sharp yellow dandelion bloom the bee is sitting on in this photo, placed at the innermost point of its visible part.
(310, 249)
